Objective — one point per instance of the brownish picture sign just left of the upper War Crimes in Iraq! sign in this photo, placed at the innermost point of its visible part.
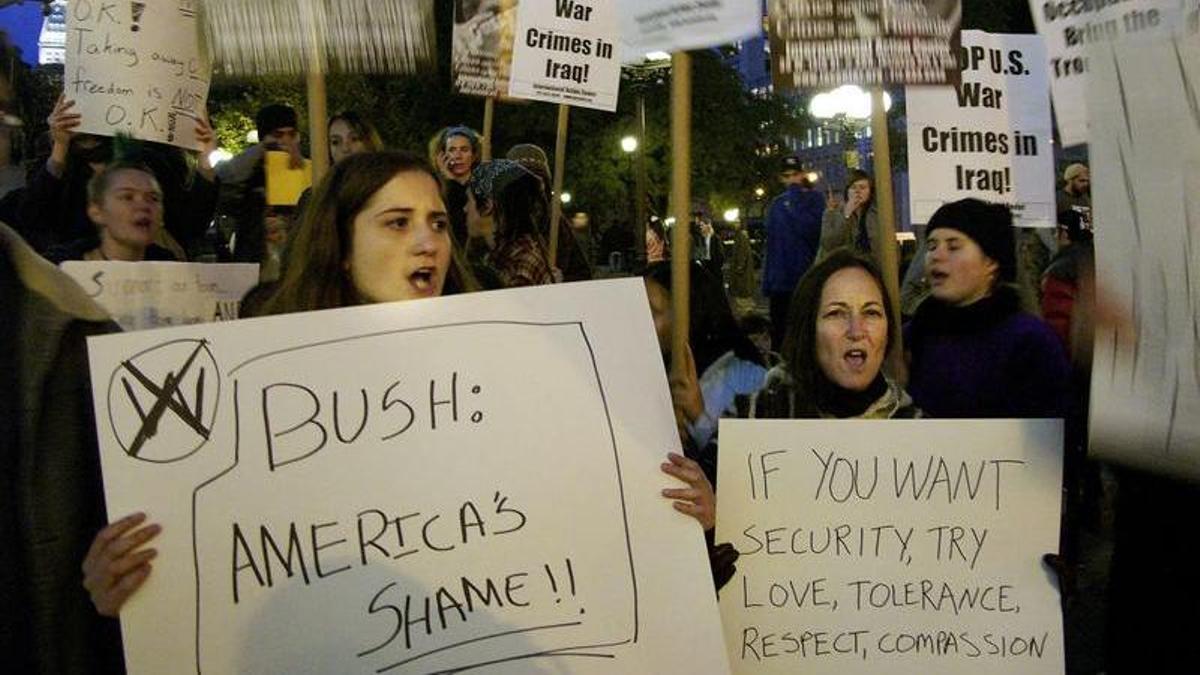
(482, 56)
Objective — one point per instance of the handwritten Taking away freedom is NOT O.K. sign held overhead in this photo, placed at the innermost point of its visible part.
(137, 69)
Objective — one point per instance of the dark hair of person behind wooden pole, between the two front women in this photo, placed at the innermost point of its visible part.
(712, 328)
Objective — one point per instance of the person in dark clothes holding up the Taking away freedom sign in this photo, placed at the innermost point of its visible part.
(53, 210)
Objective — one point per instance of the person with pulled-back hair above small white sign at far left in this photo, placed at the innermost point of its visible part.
(125, 206)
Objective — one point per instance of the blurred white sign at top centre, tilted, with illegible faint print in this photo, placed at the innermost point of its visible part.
(675, 26)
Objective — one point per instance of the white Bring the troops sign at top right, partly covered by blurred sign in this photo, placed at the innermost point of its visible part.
(1070, 27)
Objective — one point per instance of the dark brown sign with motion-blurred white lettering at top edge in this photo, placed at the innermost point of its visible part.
(833, 43)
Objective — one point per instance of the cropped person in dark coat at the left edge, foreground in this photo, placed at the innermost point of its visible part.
(52, 500)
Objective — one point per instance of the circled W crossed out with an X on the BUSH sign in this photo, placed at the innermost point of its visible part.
(149, 443)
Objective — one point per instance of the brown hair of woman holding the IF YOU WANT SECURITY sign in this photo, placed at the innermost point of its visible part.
(800, 344)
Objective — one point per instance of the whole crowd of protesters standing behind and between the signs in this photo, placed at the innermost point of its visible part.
(388, 226)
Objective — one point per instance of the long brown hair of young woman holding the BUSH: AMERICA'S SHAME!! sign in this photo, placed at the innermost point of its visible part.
(315, 276)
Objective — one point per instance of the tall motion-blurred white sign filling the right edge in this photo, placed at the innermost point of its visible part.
(1145, 154)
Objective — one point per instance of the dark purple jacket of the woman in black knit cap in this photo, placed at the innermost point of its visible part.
(988, 360)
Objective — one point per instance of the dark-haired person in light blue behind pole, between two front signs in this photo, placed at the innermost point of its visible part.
(724, 365)
